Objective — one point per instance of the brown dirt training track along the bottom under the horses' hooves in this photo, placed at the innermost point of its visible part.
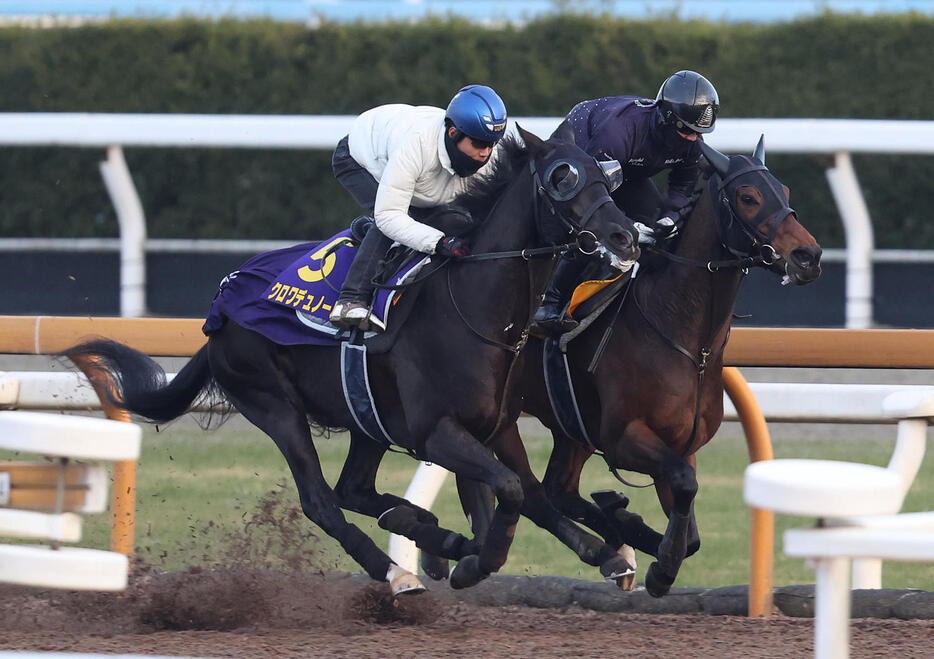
(243, 612)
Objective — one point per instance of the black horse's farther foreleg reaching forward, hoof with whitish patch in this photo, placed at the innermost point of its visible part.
(536, 506)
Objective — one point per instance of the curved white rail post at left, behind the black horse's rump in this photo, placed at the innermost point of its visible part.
(132, 233)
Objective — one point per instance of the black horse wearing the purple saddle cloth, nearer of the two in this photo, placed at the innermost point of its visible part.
(443, 388)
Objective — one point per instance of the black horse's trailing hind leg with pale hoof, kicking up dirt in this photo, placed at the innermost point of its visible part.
(266, 400)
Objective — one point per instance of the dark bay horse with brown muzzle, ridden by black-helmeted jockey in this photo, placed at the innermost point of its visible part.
(655, 396)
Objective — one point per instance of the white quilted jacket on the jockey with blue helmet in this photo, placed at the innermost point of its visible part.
(402, 146)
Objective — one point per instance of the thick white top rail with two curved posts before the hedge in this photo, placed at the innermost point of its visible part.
(839, 137)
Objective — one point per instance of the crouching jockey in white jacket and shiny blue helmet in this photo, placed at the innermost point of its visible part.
(402, 160)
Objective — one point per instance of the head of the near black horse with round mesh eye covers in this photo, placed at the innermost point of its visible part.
(573, 189)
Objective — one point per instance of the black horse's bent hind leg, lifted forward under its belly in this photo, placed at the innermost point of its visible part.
(356, 489)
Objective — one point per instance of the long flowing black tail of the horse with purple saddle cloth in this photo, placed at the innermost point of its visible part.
(132, 381)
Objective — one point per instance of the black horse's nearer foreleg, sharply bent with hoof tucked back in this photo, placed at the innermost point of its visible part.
(455, 449)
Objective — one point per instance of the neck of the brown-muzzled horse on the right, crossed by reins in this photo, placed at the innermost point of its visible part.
(690, 304)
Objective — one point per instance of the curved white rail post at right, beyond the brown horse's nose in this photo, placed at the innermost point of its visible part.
(859, 240)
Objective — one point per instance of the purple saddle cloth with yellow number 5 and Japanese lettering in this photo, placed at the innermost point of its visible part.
(287, 294)
